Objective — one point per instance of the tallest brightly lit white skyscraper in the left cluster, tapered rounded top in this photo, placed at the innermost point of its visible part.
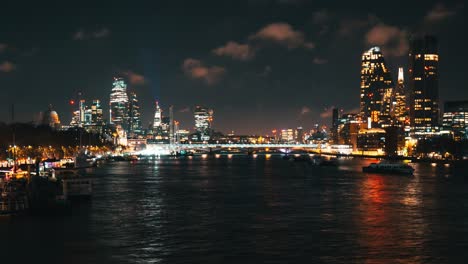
(119, 103)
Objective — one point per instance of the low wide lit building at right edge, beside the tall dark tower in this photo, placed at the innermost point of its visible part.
(455, 119)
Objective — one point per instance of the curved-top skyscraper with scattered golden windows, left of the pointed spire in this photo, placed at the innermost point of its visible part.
(376, 88)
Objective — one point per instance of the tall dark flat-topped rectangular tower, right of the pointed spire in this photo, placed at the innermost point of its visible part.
(424, 84)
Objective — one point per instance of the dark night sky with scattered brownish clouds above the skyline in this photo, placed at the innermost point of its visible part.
(260, 64)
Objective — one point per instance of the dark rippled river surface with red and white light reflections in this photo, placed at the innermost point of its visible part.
(252, 210)
